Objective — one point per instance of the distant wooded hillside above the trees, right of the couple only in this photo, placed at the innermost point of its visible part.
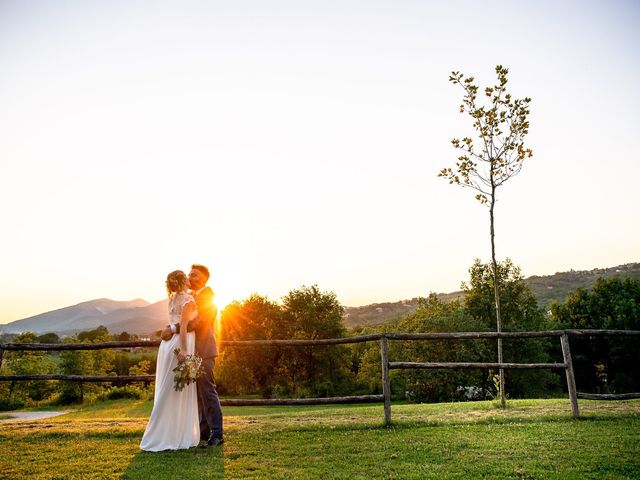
(545, 288)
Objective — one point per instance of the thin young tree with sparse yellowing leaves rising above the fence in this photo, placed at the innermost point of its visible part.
(493, 156)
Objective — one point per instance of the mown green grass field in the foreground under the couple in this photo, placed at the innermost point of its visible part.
(531, 439)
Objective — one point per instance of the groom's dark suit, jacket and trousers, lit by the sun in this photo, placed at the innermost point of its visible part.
(209, 409)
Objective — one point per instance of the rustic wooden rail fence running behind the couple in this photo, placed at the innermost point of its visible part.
(386, 365)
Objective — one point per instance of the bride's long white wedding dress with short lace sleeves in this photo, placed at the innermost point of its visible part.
(174, 420)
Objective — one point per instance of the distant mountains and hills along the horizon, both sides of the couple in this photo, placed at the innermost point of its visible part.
(144, 318)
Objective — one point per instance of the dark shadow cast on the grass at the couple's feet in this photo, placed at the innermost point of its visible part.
(192, 463)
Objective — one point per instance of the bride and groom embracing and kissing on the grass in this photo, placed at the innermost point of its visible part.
(182, 419)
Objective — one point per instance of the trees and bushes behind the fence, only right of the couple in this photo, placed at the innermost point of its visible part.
(603, 365)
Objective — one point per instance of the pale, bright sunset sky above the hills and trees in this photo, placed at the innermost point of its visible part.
(291, 143)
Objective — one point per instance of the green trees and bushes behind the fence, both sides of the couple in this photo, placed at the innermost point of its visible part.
(602, 365)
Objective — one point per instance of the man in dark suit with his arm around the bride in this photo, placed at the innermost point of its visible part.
(209, 409)
